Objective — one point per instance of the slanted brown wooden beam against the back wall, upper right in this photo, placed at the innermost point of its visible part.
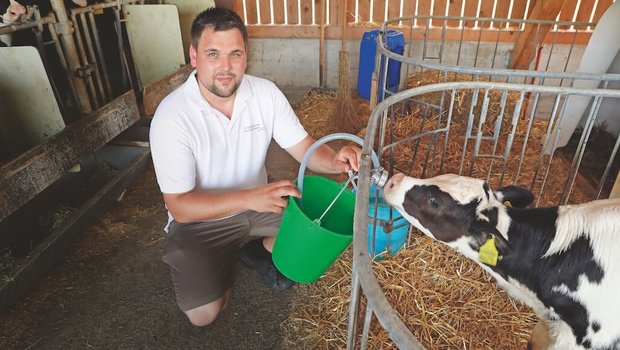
(533, 35)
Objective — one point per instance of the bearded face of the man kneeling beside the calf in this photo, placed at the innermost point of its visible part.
(220, 61)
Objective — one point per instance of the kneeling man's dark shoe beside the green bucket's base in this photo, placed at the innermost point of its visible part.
(255, 256)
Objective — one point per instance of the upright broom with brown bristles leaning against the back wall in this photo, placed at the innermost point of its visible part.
(345, 117)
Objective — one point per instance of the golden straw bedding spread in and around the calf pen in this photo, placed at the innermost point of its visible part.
(447, 301)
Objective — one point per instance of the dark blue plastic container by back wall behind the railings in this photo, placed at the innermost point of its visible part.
(395, 42)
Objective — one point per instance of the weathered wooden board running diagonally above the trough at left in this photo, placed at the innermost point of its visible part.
(36, 169)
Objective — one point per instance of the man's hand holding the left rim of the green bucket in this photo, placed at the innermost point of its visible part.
(272, 197)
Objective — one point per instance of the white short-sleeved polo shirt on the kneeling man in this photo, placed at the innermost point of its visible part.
(194, 146)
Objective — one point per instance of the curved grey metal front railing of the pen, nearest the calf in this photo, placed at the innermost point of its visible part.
(364, 281)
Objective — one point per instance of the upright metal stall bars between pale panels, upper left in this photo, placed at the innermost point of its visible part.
(77, 43)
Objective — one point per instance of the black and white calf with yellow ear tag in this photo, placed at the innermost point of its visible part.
(563, 262)
